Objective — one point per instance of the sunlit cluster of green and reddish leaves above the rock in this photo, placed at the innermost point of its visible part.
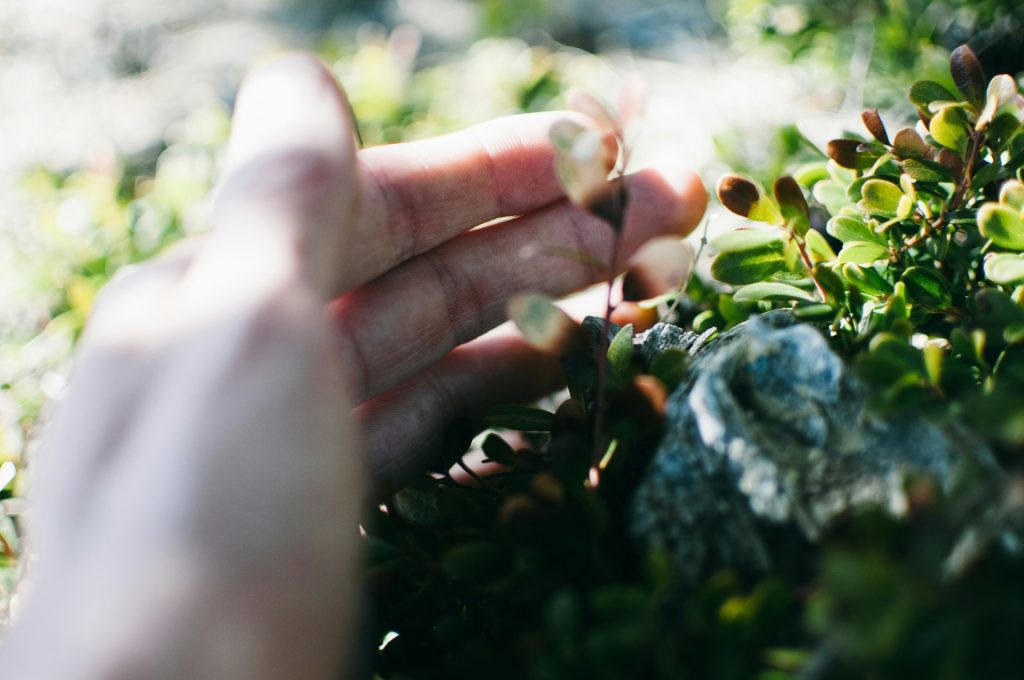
(916, 268)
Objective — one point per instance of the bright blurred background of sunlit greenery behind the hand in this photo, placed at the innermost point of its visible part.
(113, 114)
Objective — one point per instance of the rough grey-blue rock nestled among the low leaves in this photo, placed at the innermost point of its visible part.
(770, 434)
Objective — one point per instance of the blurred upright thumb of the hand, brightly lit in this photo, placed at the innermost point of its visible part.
(286, 203)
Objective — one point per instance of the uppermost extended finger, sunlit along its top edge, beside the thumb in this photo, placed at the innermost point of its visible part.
(418, 195)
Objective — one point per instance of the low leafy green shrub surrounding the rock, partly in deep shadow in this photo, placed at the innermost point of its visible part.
(905, 249)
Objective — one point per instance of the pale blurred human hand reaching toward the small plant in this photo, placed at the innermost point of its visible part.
(199, 490)
